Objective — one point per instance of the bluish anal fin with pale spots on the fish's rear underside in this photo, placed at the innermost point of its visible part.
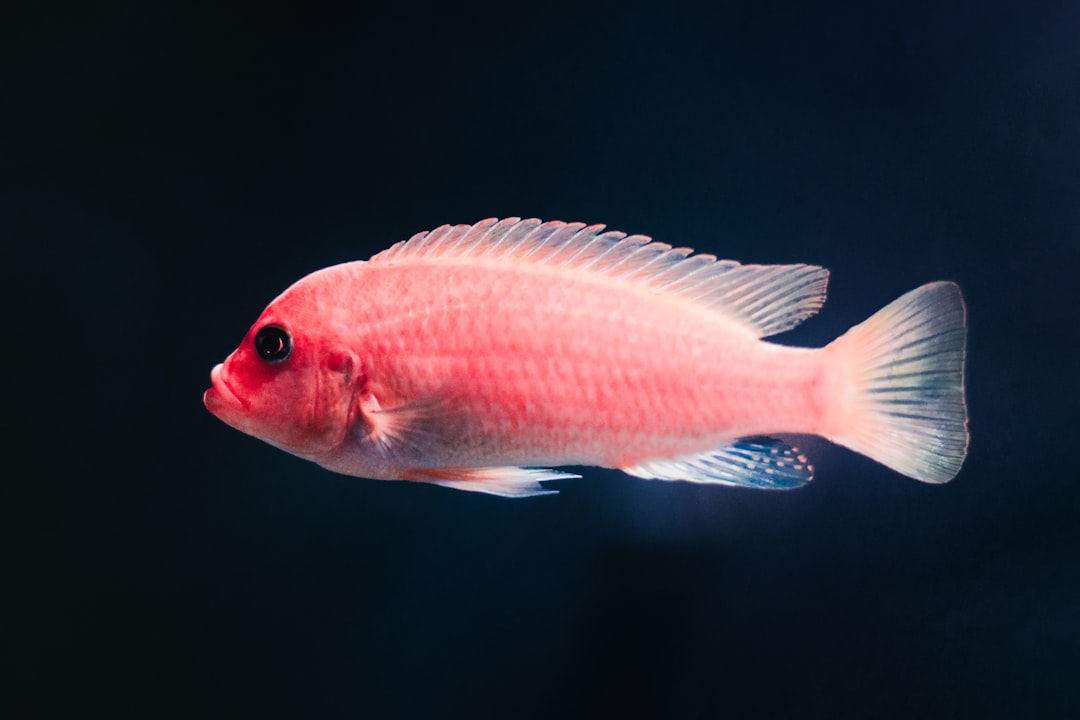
(754, 463)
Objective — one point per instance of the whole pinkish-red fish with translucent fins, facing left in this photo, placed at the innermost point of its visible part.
(484, 357)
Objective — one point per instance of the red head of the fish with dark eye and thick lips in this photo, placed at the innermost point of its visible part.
(292, 381)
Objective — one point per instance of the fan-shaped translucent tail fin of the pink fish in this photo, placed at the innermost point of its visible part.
(903, 377)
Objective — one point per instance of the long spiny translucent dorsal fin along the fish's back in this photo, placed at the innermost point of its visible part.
(766, 300)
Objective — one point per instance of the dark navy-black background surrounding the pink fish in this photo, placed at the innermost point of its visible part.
(169, 170)
